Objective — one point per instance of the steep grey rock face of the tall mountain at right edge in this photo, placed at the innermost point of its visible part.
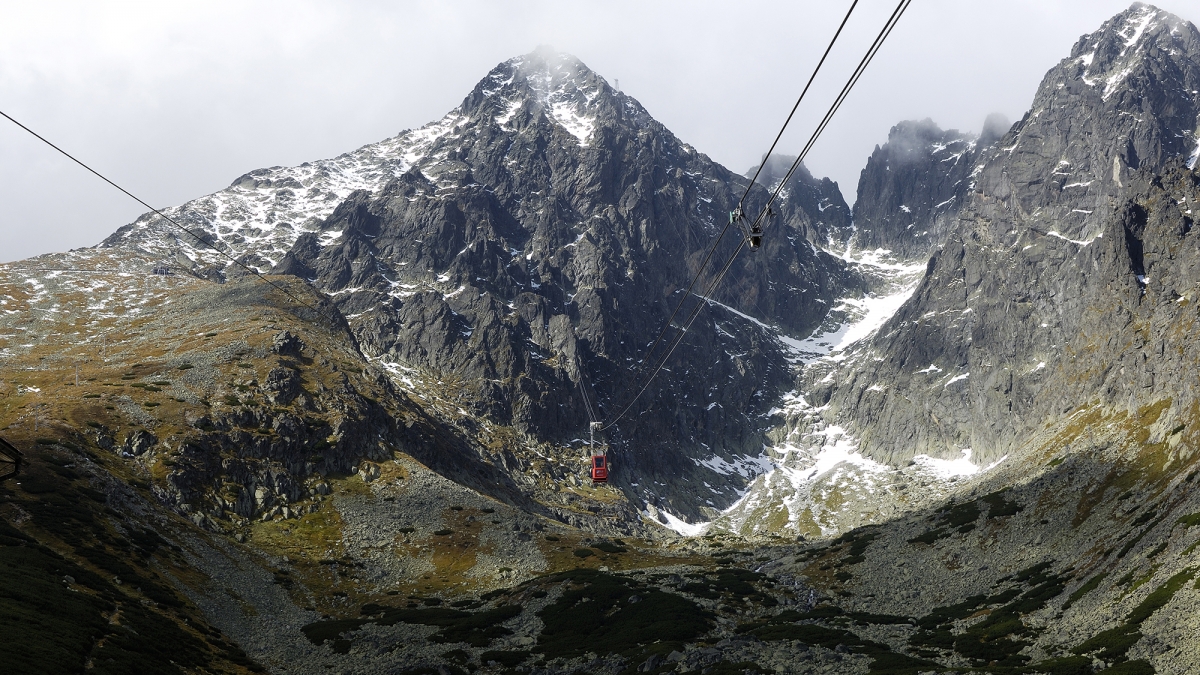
(1021, 315)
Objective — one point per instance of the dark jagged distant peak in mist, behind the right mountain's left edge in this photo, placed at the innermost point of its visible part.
(915, 184)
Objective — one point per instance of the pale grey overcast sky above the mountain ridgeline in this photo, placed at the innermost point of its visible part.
(175, 100)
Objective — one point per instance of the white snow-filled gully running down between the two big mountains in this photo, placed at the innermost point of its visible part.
(818, 464)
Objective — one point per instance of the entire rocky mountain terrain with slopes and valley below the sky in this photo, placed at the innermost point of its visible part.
(341, 423)
